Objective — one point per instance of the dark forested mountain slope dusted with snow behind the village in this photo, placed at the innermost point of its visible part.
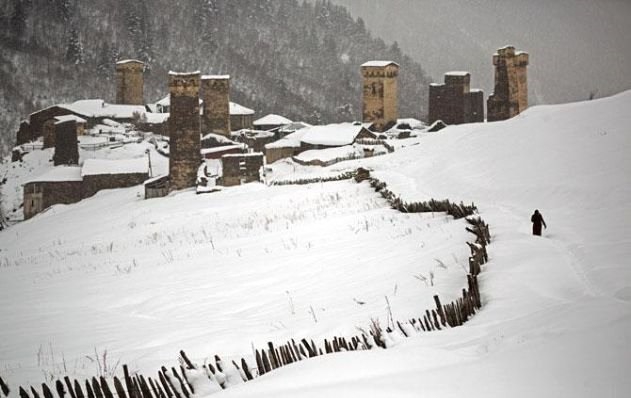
(295, 58)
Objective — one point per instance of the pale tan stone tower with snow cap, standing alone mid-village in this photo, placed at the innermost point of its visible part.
(380, 101)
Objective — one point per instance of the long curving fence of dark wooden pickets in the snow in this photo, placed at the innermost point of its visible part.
(175, 382)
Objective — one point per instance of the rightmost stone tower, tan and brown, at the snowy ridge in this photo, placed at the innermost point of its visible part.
(510, 96)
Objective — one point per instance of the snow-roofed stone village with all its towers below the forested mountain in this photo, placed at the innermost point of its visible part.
(198, 121)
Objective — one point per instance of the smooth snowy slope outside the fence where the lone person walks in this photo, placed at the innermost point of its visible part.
(557, 314)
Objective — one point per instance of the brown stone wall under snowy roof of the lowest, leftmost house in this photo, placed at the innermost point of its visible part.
(41, 195)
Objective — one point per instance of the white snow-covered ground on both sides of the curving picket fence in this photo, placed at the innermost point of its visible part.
(214, 273)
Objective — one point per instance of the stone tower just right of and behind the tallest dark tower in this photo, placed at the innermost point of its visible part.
(216, 96)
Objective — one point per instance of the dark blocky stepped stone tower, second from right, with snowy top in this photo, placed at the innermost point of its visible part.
(454, 102)
